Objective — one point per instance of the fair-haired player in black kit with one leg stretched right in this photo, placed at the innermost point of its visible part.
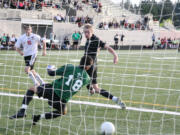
(92, 47)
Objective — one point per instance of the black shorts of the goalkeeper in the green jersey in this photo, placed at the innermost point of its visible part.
(46, 91)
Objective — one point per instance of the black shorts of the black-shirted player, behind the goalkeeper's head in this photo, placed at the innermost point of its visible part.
(92, 72)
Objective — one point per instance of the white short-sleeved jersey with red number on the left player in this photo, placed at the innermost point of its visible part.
(29, 43)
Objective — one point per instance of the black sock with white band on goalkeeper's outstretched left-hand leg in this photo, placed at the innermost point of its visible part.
(27, 99)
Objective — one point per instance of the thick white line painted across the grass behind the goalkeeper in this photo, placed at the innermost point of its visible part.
(104, 105)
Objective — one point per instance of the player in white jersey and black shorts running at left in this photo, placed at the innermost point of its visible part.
(29, 41)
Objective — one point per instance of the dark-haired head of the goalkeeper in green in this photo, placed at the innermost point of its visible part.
(86, 62)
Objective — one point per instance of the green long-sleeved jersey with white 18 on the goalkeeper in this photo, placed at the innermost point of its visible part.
(73, 79)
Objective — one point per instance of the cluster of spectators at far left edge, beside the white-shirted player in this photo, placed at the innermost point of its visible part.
(7, 41)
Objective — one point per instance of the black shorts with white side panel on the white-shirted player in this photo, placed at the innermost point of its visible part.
(30, 61)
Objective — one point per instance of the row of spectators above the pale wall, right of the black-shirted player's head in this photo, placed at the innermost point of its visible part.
(114, 24)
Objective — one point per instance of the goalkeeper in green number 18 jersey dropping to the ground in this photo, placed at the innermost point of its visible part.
(60, 91)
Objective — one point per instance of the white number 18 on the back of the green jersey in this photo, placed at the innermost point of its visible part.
(77, 85)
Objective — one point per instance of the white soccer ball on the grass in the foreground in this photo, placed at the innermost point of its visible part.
(107, 128)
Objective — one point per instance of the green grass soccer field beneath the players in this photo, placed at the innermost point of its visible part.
(143, 79)
